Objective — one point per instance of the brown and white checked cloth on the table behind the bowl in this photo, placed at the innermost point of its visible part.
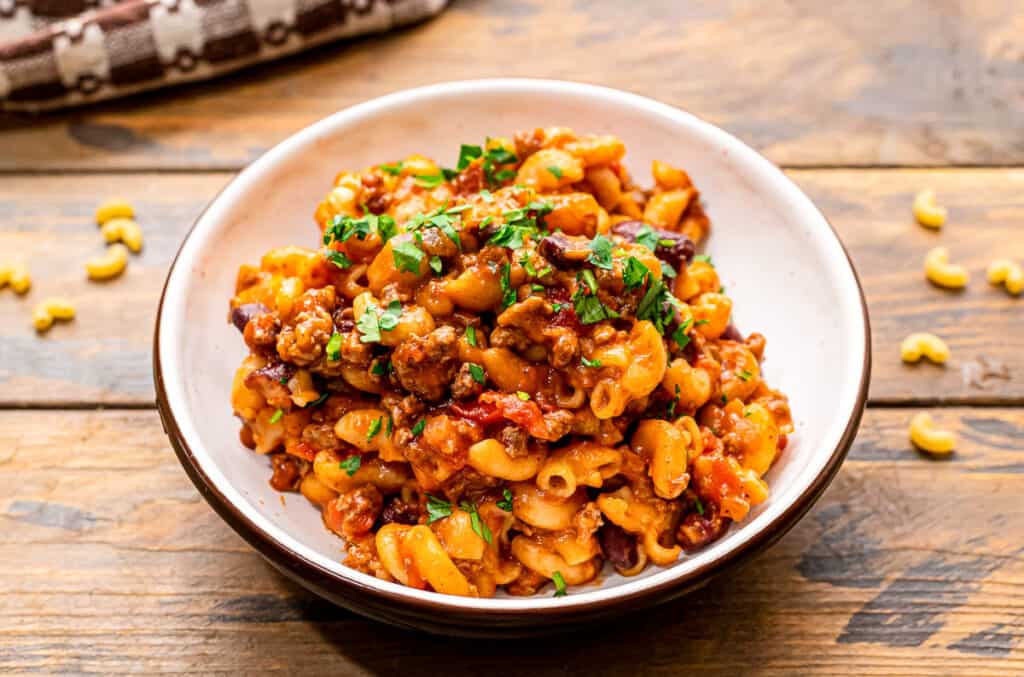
(67, 53)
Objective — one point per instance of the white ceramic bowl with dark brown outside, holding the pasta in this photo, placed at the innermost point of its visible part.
(783, 264)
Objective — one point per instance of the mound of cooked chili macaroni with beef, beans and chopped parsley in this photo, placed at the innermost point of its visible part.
(507, 373)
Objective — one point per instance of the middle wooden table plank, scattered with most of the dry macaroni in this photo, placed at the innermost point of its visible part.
(104, 356)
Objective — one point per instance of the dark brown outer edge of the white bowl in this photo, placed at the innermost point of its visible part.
(312, 574)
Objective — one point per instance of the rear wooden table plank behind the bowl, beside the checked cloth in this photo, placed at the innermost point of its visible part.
(805, 82)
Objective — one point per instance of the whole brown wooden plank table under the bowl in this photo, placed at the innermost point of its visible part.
(907, 567)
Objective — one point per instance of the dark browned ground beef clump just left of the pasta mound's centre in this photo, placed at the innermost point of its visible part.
(426, 365)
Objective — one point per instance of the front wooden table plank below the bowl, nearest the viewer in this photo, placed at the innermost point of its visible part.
(907, 567)
